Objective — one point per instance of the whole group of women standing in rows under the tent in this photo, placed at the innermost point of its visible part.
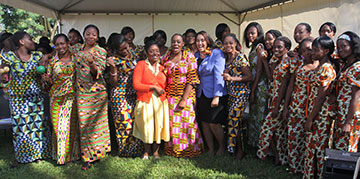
(300, 101)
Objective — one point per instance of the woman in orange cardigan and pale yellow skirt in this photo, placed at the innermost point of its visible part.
(151, 124)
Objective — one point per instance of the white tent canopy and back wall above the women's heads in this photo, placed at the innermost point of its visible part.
(175, 16)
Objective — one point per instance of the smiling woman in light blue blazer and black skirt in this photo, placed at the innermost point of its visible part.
(211, 91)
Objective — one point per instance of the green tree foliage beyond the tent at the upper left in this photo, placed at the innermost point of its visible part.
(14, 19)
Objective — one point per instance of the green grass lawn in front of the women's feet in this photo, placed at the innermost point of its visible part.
(167, 167)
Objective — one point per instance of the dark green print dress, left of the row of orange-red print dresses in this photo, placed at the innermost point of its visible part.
(259, 108)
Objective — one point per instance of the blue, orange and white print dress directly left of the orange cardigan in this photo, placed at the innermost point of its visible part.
(123, 100)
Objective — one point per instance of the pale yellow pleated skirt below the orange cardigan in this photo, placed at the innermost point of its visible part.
(151, 122)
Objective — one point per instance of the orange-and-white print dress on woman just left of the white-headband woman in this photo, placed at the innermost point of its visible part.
(317, 139)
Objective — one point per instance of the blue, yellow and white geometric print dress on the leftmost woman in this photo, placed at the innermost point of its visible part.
(31, 133)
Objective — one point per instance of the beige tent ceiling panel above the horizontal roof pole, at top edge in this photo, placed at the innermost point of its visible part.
(152, 6)
